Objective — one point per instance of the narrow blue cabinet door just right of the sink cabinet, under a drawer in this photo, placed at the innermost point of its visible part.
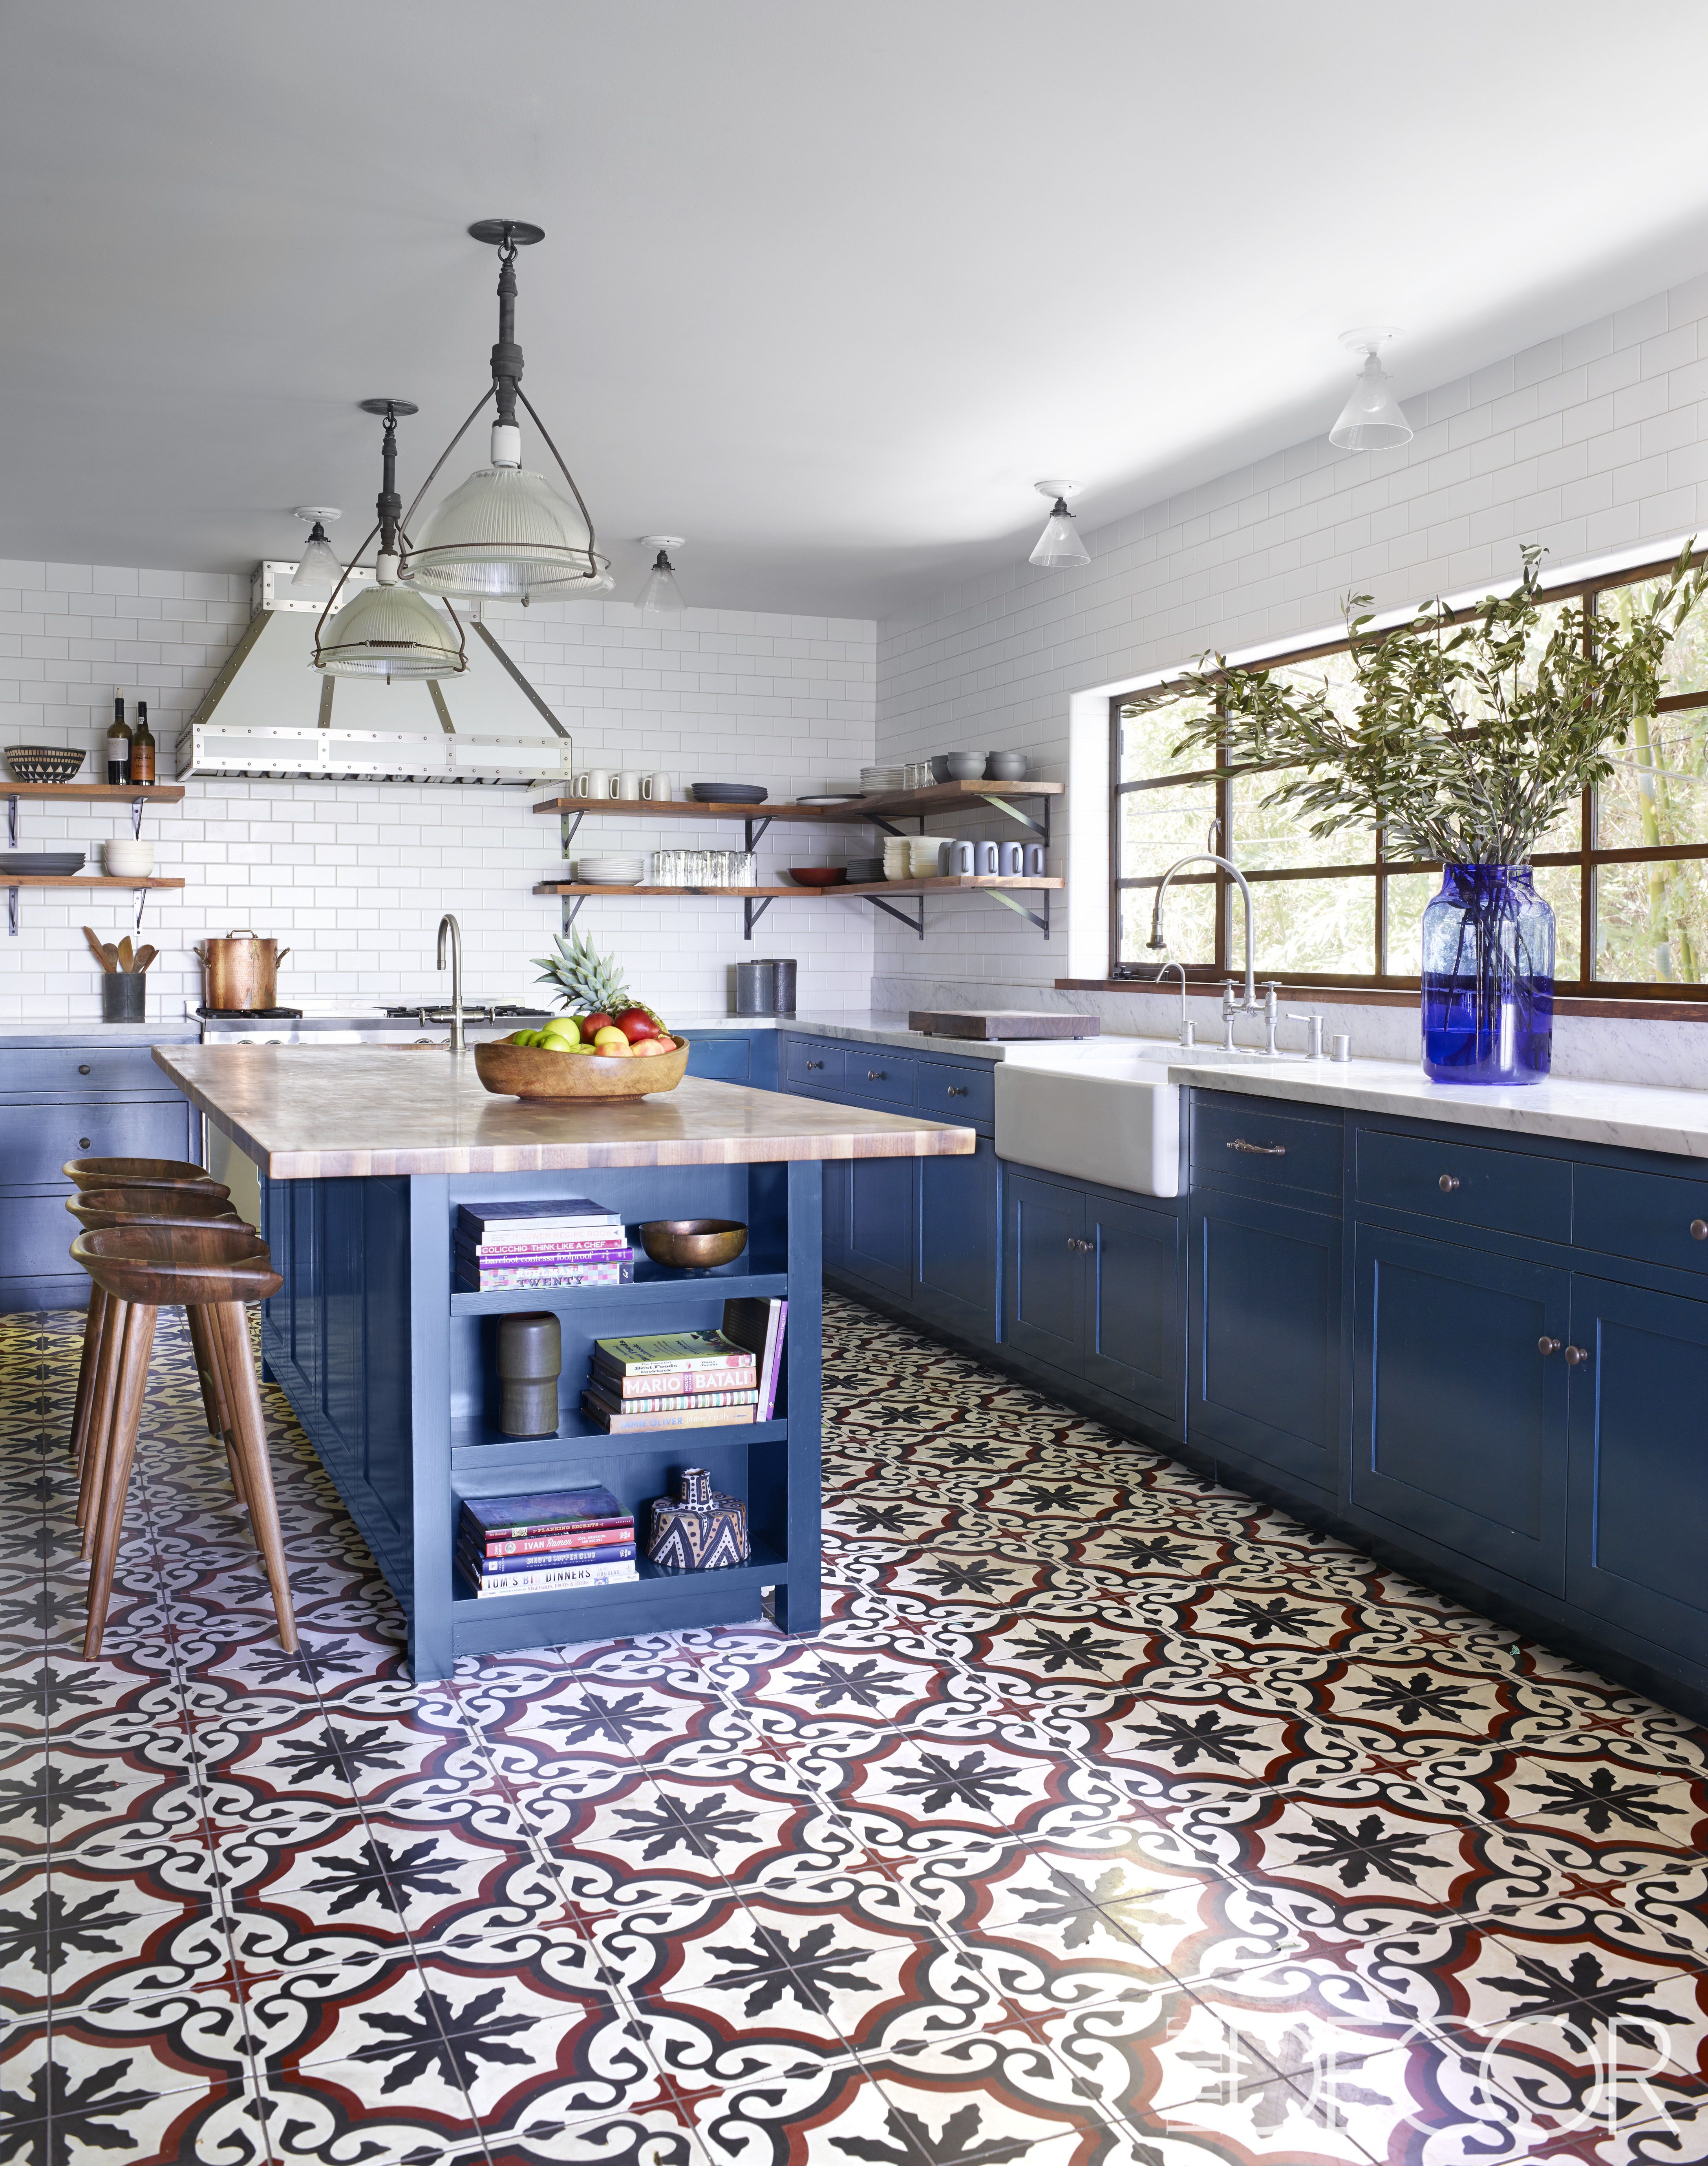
(1265, 1335)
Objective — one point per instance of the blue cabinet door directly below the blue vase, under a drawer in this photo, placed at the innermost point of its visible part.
(1460, 1385)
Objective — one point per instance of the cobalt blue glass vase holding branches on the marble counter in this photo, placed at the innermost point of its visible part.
(1488, 978)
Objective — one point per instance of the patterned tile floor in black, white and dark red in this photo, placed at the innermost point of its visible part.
(1111, 1818)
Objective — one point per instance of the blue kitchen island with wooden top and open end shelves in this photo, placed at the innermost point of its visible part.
(365, 1158)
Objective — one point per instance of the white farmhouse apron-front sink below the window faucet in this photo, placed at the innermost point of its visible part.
(1098, 1110)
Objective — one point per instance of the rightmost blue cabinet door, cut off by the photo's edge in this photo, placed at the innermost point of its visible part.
(1638, 1528)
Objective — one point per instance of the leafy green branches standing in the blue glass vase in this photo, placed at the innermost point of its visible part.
(1464, 744)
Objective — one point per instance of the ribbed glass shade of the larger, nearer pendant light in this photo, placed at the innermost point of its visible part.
(500, 536)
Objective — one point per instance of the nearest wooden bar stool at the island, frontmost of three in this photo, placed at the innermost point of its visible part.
(142, 1270)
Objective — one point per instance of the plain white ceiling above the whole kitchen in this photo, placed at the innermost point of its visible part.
(825, 287)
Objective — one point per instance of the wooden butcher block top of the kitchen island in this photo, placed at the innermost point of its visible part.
(372, 1112)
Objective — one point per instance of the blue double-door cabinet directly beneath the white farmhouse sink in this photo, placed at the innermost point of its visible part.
(1094, 1290)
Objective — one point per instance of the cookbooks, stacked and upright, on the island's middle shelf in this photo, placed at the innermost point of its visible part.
(690, 1381)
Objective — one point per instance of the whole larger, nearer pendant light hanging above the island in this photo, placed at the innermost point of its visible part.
(506, 532)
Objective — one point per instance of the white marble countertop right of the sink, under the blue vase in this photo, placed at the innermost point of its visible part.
(1633, 1117)
